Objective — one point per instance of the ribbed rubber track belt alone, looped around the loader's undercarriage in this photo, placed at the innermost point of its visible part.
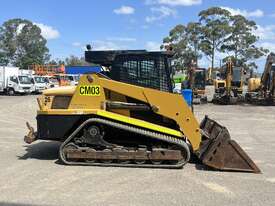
(151, 134)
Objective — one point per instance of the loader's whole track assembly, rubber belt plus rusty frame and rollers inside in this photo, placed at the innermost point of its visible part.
(92, 144)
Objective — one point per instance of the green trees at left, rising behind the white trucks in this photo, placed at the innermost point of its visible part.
(21, 45)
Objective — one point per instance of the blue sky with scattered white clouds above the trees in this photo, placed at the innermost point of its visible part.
(128, 24)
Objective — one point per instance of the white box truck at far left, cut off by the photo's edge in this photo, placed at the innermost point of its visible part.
(11, 81)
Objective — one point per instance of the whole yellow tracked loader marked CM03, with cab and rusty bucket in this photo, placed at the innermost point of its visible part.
(129, 117)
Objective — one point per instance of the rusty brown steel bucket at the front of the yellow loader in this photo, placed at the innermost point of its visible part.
(218, 151)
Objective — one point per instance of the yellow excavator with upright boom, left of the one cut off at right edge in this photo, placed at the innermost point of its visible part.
(230, 90)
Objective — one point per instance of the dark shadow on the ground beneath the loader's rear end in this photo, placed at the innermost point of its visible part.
(41, 150)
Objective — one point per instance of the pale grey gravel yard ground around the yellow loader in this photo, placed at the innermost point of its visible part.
(31, 174)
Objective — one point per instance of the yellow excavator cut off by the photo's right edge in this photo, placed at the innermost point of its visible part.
(262, 90)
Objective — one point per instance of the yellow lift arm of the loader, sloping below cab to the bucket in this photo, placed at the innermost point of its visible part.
(167, 104)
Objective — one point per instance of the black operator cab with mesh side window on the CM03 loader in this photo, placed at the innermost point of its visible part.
(137, 67)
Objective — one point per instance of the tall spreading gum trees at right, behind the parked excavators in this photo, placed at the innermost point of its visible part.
(216, 32)
